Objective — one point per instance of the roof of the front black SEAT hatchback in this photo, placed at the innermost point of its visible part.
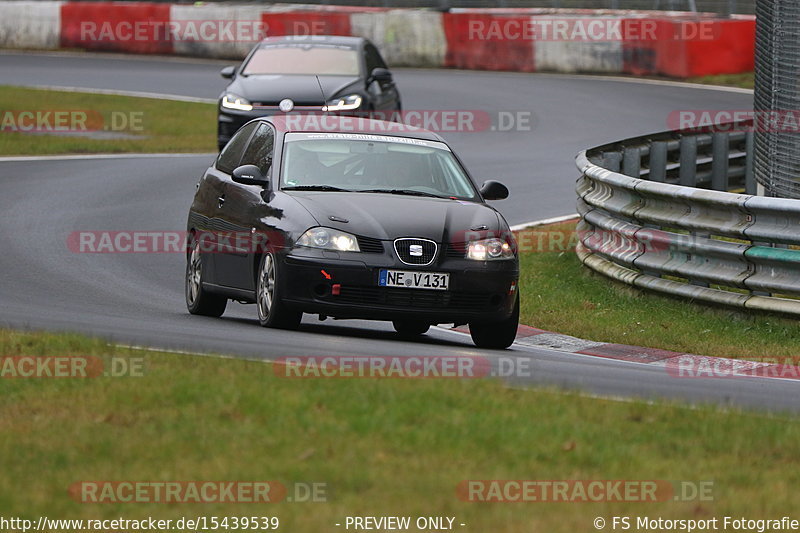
(344, 124)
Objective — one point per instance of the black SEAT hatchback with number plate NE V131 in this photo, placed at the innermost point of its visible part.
(351, 218)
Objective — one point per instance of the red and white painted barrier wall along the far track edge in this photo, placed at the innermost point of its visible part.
(675, 43)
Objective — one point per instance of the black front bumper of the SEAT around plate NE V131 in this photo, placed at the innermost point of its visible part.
(479, 292)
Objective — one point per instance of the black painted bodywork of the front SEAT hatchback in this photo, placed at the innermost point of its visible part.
(479, 290)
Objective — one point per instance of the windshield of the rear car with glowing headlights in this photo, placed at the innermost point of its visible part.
(303, 59)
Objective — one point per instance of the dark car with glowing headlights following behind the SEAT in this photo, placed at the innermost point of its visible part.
(311, 74)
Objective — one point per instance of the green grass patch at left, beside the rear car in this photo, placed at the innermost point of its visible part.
(147, 124)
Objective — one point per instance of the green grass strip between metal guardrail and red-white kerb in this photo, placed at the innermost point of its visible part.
(559, 294)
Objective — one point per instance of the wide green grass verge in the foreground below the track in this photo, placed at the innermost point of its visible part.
(383, 447)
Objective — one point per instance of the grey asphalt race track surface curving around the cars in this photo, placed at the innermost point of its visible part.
(138, 298)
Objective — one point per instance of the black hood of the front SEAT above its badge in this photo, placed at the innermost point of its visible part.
(387, 216)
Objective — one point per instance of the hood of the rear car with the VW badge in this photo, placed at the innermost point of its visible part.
(304, 90)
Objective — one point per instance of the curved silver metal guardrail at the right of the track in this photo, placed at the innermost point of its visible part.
(676, 213)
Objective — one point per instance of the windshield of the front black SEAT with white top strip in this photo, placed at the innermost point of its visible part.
(373, 163)
